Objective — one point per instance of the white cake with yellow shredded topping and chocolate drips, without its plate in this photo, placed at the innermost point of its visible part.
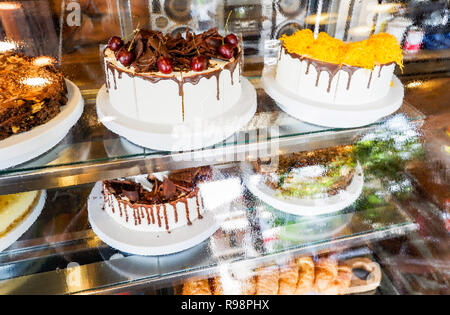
(329, 70)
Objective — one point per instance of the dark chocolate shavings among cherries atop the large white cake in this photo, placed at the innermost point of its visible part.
(149, 45)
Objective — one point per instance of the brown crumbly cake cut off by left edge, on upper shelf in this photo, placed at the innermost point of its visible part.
(32, 91)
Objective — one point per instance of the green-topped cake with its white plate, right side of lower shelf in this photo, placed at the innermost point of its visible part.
(307, 183)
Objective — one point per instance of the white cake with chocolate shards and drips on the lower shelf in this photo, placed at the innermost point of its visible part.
(151, 204)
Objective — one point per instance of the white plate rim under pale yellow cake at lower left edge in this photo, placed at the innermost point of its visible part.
(23, 226)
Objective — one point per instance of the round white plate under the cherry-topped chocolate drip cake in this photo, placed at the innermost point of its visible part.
(181, 137)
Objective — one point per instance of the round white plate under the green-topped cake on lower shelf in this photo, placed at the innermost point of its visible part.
(306, 207)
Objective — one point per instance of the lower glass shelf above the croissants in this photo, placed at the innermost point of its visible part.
(62, 251)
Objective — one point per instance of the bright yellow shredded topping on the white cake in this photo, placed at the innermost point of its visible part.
(379, 49)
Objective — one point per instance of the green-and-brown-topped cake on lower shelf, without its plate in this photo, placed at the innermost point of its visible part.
(314, 174)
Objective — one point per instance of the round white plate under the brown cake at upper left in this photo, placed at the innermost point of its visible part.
(28, 145)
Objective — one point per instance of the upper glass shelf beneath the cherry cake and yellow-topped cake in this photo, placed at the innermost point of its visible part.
(90, 152)
